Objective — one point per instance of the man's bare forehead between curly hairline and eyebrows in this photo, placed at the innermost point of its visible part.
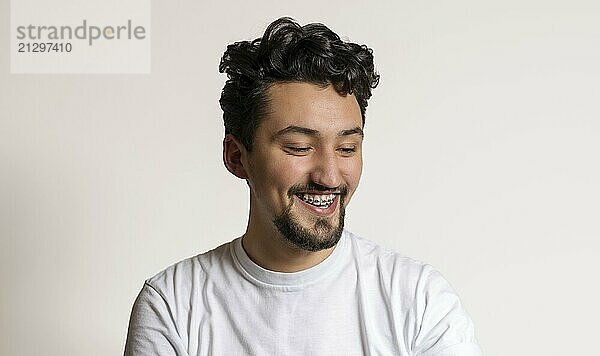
(311, 106)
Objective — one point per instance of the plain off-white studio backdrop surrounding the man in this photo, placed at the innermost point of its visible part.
(481, 158)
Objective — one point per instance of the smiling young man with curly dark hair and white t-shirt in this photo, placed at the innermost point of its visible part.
(297, 283)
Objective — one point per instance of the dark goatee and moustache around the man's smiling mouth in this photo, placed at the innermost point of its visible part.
(320, 236)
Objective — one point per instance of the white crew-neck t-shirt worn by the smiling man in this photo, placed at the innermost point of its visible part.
(361, 300)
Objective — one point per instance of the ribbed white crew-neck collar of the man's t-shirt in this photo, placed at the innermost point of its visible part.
(288, 279)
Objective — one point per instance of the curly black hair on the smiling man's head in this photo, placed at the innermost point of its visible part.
(288, 52)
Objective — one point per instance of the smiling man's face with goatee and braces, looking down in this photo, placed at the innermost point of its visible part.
(305, 164)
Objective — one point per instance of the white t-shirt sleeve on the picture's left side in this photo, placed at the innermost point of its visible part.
(152, 328)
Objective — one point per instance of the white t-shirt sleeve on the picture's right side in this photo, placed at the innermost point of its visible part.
(445, 327)
